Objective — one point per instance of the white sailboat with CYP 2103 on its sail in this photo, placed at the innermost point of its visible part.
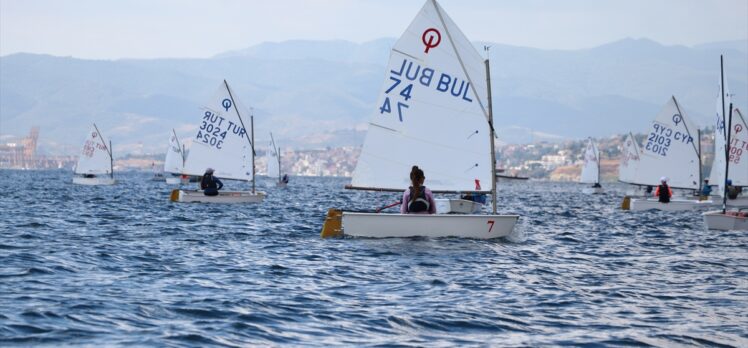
(672, 151)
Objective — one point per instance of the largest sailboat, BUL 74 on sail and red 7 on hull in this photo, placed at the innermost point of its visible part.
(434, 111)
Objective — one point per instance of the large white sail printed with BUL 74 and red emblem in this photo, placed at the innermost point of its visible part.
(431, 112)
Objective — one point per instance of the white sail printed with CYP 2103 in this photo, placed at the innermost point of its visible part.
(670, 150)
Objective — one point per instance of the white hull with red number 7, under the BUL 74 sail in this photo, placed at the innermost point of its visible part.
(432, 226)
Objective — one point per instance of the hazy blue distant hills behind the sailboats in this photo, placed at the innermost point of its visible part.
(321, 93)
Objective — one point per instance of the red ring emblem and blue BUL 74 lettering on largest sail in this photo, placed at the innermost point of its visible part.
(410, 73)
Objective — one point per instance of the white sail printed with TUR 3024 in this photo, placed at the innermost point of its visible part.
(221, 141)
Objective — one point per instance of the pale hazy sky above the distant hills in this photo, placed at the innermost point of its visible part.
(190, 28)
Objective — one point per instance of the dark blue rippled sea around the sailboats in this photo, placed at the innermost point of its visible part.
(123, 266)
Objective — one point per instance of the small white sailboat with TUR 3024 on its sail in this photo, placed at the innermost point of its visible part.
(222, 143)
